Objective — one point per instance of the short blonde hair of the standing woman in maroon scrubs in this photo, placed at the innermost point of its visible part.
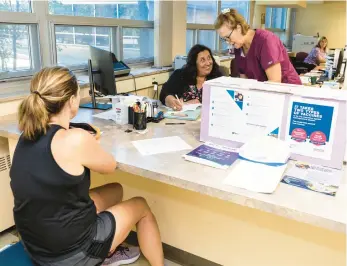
(231, 18)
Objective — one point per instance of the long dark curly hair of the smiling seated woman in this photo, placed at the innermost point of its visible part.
(191, 70)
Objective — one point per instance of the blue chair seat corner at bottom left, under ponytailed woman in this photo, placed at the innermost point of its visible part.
(15, 255)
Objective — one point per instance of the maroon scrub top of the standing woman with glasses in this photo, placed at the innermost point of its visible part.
(266, 50)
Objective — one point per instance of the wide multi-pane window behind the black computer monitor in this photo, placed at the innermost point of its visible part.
(127, 23)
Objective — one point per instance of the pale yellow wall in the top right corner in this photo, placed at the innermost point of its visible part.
(329, 19)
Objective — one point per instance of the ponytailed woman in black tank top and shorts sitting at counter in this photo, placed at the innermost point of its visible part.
(59, 221)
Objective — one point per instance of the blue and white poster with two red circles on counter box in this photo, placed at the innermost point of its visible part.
(311, 127)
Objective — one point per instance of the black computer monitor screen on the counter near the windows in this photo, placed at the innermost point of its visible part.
(103, 71)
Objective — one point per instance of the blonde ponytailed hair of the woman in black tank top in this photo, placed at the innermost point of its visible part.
(50, 89)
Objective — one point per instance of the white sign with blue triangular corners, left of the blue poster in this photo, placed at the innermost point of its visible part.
(239, 115)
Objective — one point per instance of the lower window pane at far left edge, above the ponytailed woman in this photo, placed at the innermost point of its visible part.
(16, 56)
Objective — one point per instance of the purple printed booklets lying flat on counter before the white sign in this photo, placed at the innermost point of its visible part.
(213, 155)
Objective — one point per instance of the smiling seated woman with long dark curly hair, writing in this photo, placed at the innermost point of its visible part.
(187, 82)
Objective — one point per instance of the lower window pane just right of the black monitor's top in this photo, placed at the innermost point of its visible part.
(138, 44)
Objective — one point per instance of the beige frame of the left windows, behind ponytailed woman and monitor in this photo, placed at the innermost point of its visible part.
(43, 39)
